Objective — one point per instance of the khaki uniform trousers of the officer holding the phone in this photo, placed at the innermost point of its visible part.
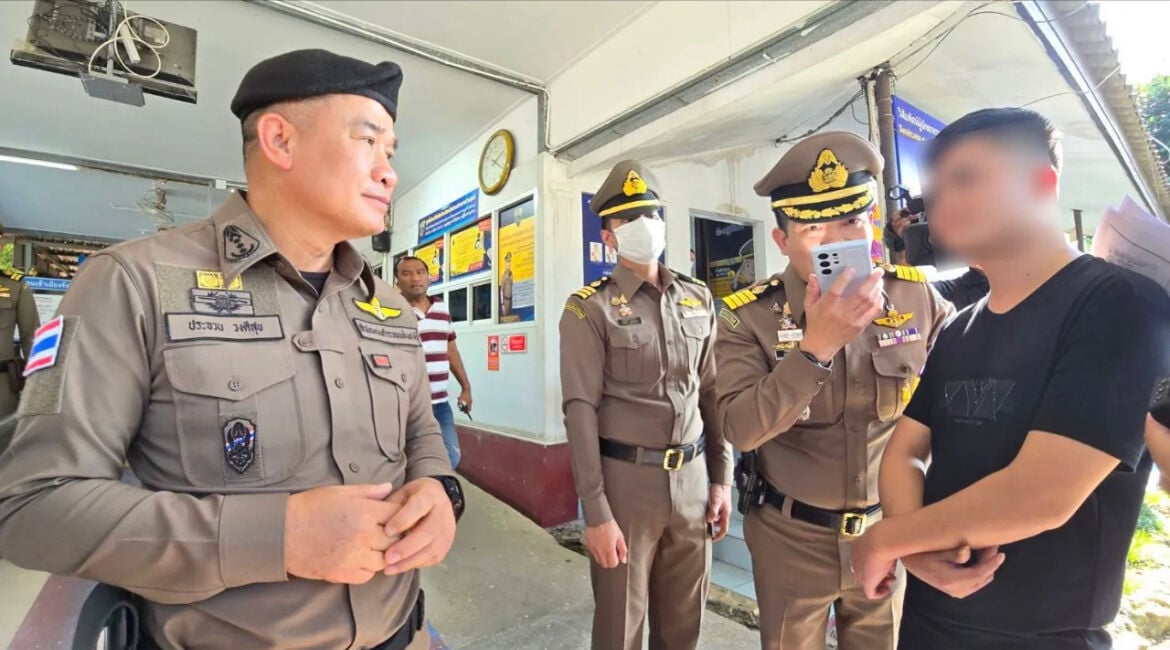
(801, 570)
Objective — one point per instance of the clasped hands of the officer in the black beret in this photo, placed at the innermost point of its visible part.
(350, 534)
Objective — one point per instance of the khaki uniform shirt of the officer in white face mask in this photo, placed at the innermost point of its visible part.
(637, 367)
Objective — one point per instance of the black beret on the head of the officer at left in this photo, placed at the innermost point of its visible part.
(313, 73)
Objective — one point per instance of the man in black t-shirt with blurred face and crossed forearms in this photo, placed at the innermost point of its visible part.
(1030, 414)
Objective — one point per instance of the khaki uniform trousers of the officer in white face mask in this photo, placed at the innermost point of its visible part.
(664, 518)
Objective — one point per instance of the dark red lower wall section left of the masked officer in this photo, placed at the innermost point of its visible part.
(535, 479)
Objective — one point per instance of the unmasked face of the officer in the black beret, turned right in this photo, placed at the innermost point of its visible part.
(338, 158)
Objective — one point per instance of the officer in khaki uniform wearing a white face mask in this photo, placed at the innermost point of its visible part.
(652, 467)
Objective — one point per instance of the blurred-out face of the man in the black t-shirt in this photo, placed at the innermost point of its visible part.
(987, 196)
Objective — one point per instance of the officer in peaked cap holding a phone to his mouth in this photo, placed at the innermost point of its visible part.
(809, 388)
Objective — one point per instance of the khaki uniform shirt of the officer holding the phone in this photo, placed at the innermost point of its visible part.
(821, 433)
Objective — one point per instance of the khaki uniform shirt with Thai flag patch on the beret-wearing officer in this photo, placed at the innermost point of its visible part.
(225, 403)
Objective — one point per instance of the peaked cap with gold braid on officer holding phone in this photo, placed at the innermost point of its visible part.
(824, 178)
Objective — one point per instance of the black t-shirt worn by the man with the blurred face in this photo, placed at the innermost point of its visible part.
(1077, 358)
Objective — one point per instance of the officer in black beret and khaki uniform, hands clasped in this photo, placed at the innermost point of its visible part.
(267, 389)
